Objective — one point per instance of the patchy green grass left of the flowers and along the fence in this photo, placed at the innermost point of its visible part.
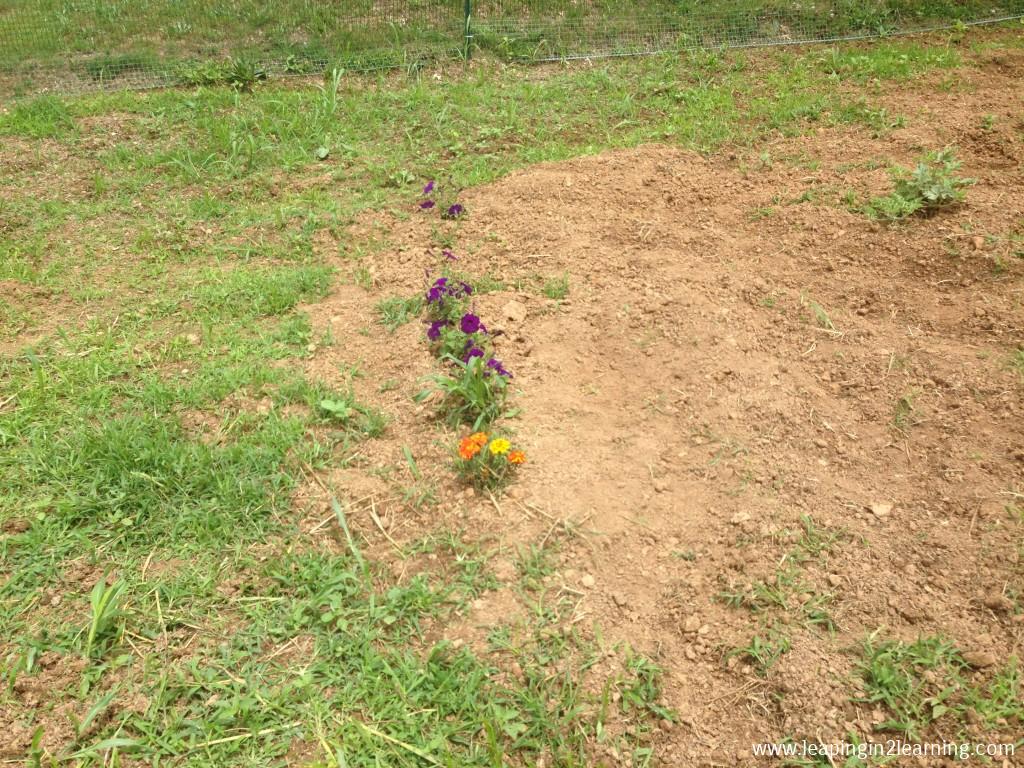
(156, 414)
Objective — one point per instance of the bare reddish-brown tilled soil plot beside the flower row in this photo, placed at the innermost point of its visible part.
(757, 415)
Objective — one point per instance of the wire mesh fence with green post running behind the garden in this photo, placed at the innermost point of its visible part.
(71, 46)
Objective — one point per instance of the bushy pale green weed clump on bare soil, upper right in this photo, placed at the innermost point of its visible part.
(932, 186)
